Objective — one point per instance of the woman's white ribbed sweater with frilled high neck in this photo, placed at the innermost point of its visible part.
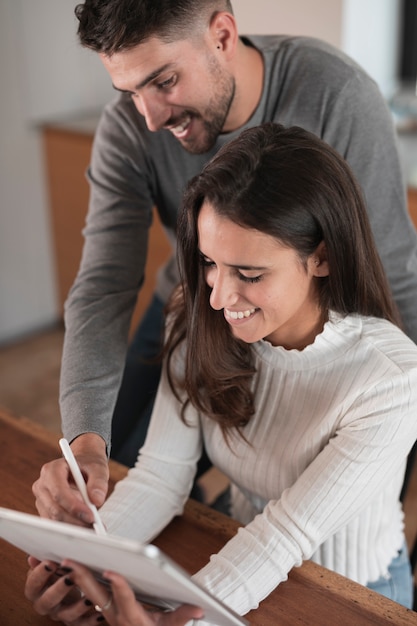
(321, 479)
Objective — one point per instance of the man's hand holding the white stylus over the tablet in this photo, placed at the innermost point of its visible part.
(55, 492)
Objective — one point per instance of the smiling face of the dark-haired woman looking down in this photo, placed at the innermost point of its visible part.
(262, 286)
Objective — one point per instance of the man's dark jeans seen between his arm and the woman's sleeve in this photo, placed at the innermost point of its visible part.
(138, 389)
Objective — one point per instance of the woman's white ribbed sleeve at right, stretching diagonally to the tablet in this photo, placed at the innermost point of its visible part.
(368, 449)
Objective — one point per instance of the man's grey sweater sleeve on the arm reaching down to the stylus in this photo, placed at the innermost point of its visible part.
(101, 301)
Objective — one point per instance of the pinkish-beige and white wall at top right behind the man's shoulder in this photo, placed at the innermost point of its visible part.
(366, 29)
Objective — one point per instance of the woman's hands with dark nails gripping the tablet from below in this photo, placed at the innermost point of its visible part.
(71, 594)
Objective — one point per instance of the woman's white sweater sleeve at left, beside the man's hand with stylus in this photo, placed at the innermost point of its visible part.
(156, 489)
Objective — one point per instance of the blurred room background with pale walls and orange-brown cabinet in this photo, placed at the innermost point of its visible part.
(52, 94)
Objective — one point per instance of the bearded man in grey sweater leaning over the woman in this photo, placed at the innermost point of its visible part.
(189, 84)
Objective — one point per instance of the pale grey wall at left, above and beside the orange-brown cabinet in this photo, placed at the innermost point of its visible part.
(44, 74)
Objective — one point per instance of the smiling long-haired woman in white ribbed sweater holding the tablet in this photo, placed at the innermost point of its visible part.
(284, 355)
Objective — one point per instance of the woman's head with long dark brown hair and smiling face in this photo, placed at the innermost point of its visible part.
(266, 202)
